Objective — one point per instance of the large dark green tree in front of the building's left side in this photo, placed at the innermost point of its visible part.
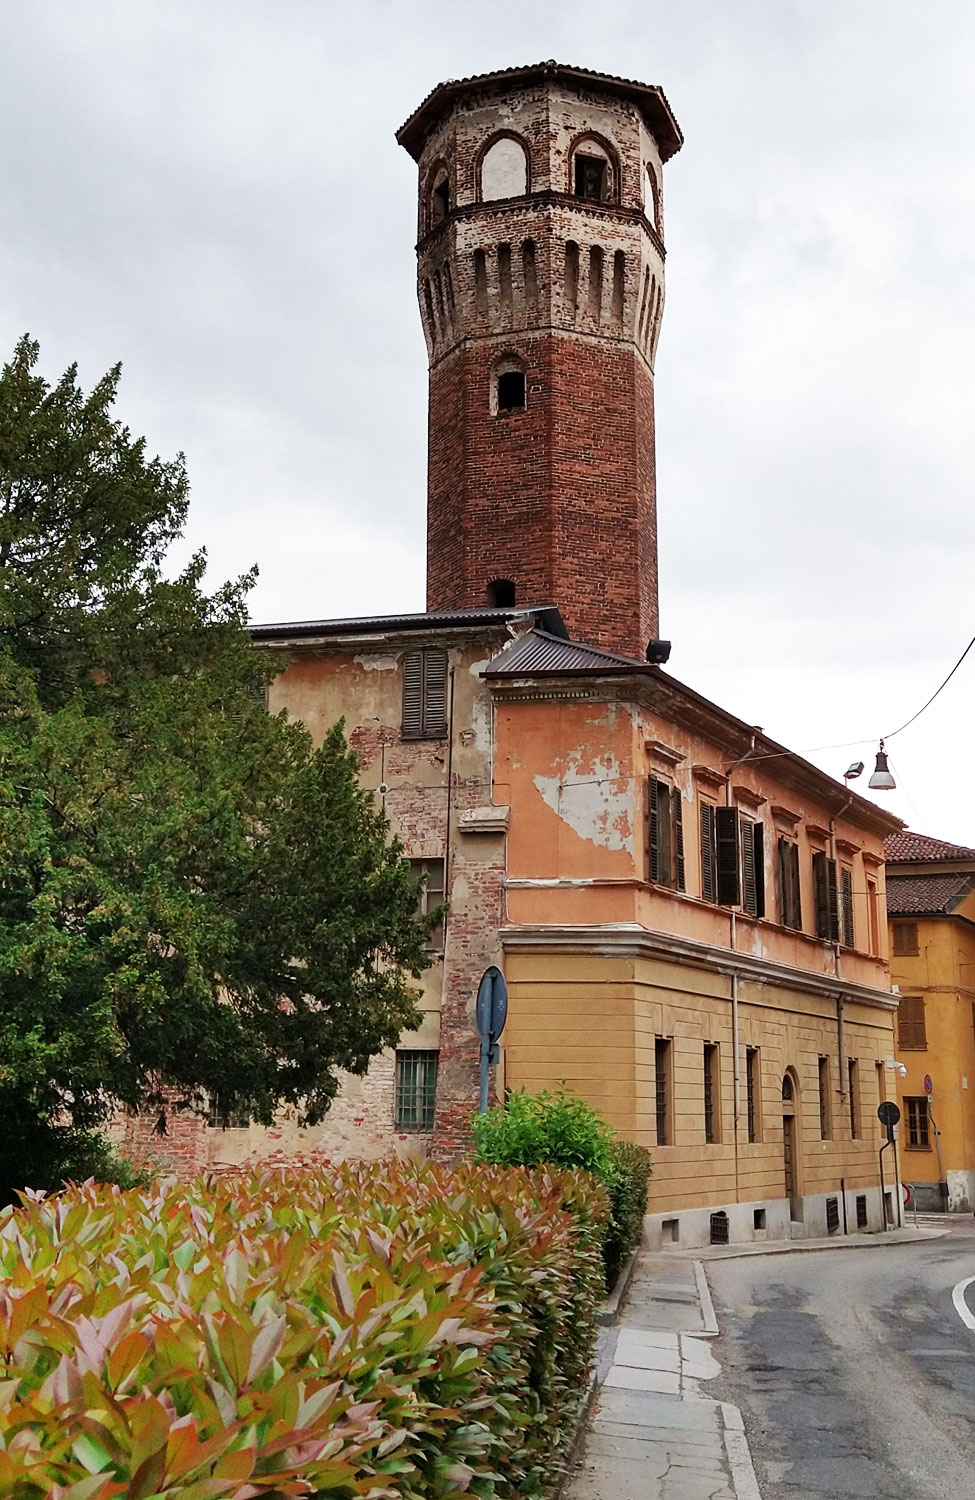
(193, 896)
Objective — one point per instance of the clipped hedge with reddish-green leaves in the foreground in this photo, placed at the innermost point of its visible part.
(374, 1331)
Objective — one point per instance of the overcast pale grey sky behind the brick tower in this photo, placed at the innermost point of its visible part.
(211, 191)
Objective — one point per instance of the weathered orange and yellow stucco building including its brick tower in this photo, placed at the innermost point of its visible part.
(689, 917)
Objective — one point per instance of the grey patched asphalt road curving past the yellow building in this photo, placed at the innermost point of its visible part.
(853, 1369)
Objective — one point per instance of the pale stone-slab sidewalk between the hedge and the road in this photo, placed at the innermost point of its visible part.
(653, 1433)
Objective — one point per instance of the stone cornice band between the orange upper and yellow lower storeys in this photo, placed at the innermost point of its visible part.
(629, 941)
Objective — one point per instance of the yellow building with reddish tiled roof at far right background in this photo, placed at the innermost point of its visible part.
(931, 905)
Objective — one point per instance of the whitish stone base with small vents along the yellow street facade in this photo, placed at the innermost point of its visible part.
(821, 1216)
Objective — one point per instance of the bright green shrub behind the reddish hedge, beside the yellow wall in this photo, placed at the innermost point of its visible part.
(562, 1130)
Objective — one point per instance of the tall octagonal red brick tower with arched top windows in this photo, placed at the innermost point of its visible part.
(541, 283)
